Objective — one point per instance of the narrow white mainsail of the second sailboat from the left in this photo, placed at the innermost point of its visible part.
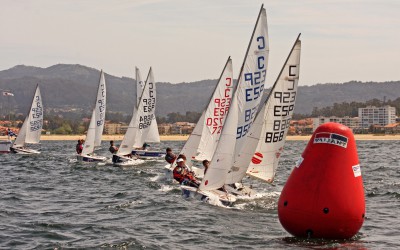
(100, 109)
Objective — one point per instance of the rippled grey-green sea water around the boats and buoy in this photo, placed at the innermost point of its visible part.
(51, 201)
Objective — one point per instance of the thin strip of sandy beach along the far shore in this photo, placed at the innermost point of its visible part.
(358, 137)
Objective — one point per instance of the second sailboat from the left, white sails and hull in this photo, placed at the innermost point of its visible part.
(96, 125)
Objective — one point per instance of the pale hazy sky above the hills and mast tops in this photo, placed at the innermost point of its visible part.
(190, 40)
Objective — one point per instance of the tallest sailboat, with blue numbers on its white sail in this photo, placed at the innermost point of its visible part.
(241, 114)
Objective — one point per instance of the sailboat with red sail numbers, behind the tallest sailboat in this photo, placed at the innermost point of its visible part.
(203, 141)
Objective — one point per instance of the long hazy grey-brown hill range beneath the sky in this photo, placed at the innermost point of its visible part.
(74, 86)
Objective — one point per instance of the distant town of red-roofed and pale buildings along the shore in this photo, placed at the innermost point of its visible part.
(370, 120)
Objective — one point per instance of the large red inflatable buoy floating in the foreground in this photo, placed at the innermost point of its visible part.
(324, 195)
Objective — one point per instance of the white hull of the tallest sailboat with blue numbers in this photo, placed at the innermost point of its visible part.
(225, 198)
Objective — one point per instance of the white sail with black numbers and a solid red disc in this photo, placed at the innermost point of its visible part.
(265, 142)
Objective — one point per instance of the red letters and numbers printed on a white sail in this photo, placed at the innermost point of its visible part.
(221, 107)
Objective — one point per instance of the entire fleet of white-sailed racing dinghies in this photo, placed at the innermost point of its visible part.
(237, 134)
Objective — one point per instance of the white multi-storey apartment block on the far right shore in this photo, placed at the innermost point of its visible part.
(372, 115)
